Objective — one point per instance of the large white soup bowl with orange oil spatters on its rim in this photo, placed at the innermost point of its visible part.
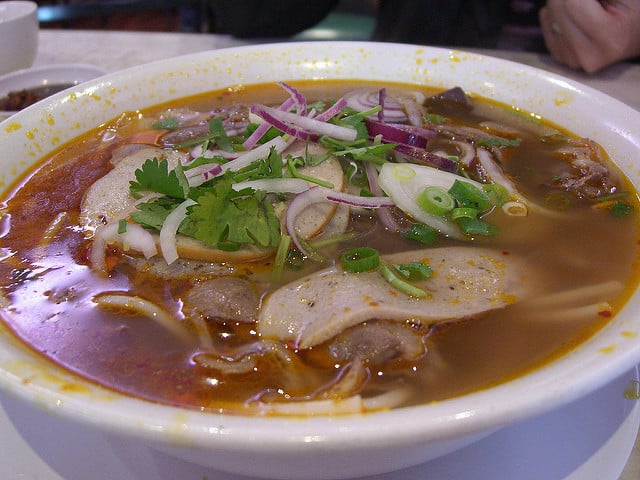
(337, 447)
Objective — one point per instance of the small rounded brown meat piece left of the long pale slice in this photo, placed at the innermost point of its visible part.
(224, 298)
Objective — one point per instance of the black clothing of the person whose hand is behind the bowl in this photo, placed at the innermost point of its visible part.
(456, 23)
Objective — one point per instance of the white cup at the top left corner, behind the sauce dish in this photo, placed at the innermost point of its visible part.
(18, 35)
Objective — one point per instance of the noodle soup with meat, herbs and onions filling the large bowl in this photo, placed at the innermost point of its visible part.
(225, 329)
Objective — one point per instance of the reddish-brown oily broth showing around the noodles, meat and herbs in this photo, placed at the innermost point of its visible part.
(49, 287)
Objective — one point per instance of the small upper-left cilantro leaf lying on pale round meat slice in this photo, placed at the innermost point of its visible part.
(154, 176)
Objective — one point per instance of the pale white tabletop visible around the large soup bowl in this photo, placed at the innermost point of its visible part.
(115, 51)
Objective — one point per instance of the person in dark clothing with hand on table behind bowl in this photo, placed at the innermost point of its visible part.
(582, 34)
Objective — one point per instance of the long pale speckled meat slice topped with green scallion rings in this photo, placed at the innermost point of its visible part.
(466, 281)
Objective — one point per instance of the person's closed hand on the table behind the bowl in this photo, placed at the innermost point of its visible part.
(591, 34)
